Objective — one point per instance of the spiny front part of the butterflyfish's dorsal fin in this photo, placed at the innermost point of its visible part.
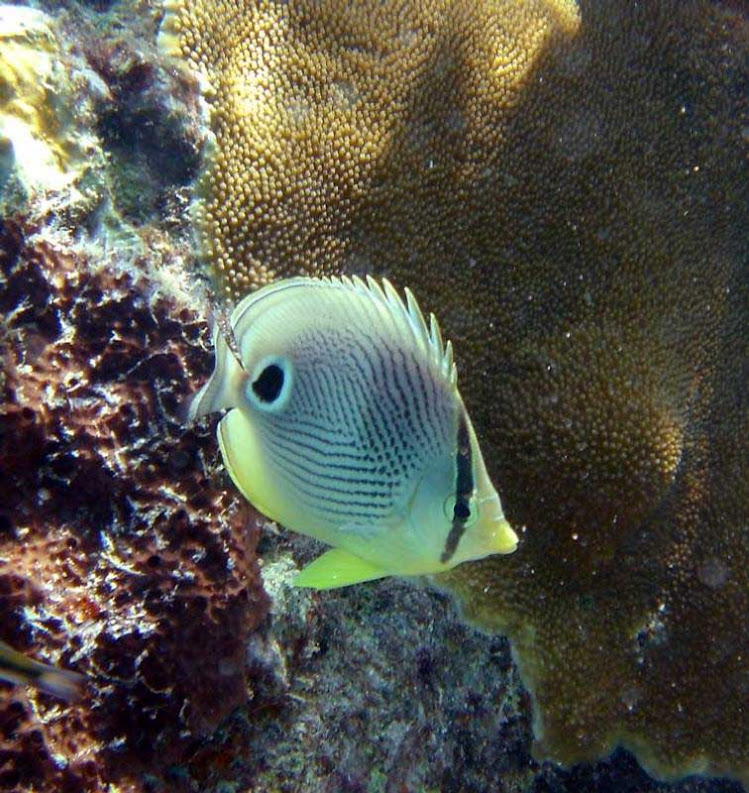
(408, 314)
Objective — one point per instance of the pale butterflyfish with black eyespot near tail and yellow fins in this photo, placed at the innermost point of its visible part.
(345, 423)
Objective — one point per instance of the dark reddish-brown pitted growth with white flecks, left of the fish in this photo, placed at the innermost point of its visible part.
(119, 556)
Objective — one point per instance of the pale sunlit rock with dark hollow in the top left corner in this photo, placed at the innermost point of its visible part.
(94, 132)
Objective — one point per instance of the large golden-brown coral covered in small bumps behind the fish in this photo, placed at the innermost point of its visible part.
(565, 188)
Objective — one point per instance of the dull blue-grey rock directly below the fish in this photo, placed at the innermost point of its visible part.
(384, 688)
